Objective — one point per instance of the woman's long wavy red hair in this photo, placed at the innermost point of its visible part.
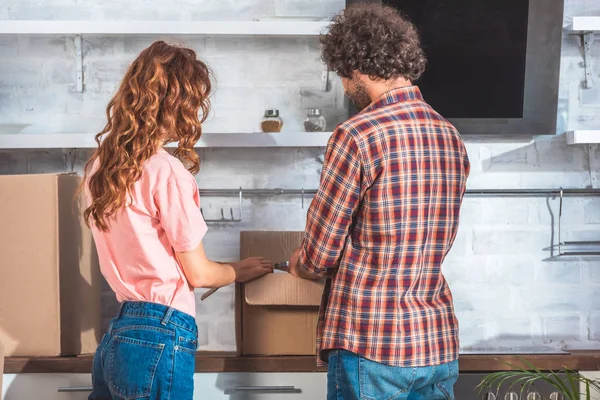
(163, 98)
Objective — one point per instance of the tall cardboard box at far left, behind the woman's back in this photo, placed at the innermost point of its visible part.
(49, 276)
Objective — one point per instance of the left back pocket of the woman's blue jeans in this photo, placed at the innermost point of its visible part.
(131, 366)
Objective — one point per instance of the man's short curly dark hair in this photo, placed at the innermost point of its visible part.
(375, 40)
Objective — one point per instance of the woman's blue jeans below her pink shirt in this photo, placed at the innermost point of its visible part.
(148, 353)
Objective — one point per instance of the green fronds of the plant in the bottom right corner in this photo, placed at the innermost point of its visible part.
(571, 384)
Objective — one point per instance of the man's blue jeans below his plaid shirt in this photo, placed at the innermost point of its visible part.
(352, 377)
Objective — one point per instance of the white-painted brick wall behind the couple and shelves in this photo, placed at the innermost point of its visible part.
(509, 292)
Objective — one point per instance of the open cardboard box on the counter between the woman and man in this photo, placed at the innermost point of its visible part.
(276, 314)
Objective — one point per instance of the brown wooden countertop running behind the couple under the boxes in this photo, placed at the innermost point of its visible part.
(229, 362)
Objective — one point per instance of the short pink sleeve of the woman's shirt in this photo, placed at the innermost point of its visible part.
(179, 213)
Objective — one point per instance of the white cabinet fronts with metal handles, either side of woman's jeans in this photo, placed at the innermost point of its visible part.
(210, 386)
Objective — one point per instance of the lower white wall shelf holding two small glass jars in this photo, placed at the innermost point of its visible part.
(243, 140)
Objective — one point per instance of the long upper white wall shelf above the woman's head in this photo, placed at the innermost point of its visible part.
(275, 28)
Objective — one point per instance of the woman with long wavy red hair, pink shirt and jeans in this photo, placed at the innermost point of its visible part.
(143, 209)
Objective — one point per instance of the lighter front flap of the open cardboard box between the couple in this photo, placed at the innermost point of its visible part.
(282, 289)
